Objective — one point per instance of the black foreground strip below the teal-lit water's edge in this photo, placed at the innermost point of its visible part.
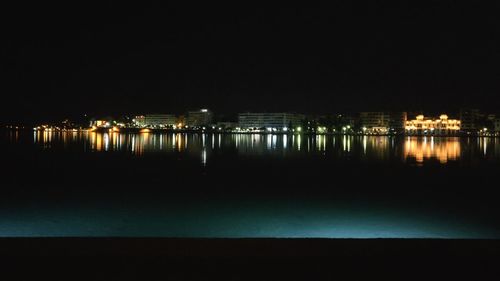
(247, 259)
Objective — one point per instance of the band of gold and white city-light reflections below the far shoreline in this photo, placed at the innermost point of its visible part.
(418, 150)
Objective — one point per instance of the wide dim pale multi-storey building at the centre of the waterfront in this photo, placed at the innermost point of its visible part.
(269, 121)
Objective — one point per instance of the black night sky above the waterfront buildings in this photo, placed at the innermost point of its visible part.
(68, 60)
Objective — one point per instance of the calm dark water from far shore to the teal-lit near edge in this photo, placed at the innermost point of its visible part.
(236, 185)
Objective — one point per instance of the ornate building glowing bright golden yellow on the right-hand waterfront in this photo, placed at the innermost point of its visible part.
(429, 126)
